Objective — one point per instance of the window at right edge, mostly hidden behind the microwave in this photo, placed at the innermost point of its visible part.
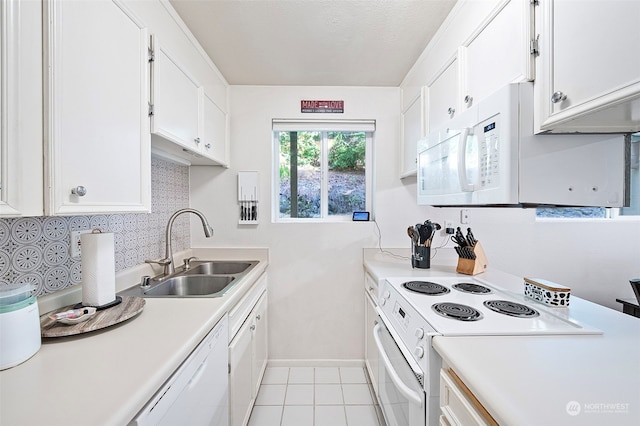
(601, 212)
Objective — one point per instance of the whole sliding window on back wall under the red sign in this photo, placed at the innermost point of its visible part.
(322, 170)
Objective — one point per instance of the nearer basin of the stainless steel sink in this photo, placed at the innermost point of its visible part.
(192, 285)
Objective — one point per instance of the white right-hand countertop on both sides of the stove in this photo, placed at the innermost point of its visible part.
(537, 380)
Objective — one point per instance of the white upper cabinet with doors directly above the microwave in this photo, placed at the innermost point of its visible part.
(480, 47)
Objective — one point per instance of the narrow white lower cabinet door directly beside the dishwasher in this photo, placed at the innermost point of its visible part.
(240, 376)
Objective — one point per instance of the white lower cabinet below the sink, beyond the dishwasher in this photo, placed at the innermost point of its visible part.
(248, 352)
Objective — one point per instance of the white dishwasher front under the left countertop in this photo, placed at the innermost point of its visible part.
(198, 392)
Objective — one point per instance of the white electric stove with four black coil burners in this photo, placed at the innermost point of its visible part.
(412, 311)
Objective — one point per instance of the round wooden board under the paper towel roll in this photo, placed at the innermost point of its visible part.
(128, 308)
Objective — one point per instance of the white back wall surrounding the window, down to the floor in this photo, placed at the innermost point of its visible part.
(315, 275)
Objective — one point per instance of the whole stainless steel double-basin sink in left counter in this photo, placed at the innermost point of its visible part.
(205, 278)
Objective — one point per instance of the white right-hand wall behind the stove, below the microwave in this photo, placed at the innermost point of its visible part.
(595, 258)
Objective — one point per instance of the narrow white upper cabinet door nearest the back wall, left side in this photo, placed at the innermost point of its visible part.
(214, 131)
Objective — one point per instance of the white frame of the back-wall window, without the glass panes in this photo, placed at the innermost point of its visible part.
(324, 127)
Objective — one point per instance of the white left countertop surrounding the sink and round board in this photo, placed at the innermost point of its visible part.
(105, 377)
